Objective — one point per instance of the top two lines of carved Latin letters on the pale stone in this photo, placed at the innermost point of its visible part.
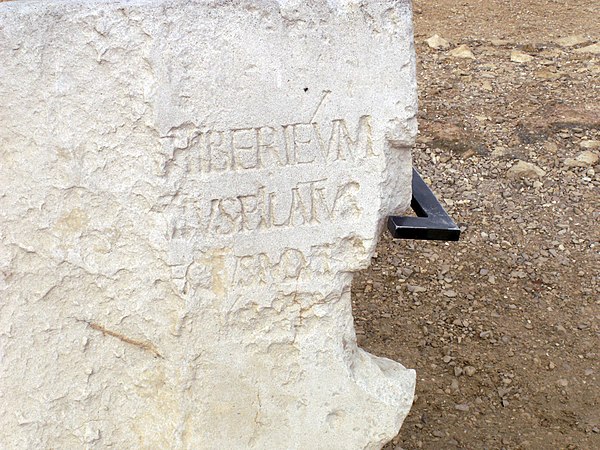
(303, 199)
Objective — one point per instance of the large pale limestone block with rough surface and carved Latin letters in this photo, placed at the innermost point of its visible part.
(186, 188)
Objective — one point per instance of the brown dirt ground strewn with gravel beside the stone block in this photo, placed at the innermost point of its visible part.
(502, 327)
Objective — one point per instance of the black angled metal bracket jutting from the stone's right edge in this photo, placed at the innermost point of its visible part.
(432, 222)
